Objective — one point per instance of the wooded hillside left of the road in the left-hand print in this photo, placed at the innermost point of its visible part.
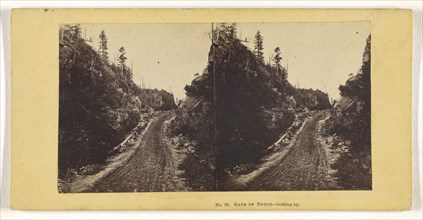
(98, 103)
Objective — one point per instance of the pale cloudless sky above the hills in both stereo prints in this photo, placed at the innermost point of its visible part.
(166, 56)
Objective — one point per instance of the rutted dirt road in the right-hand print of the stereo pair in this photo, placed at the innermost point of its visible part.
(304, 168)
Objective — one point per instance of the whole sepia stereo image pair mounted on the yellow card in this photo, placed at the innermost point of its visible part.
(188, 107)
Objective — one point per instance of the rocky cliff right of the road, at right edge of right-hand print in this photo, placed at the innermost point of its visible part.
(350, 121)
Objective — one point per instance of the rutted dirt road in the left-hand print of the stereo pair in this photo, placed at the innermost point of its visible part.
(150, 169)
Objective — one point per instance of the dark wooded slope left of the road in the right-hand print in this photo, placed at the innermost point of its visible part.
(252, 109)
